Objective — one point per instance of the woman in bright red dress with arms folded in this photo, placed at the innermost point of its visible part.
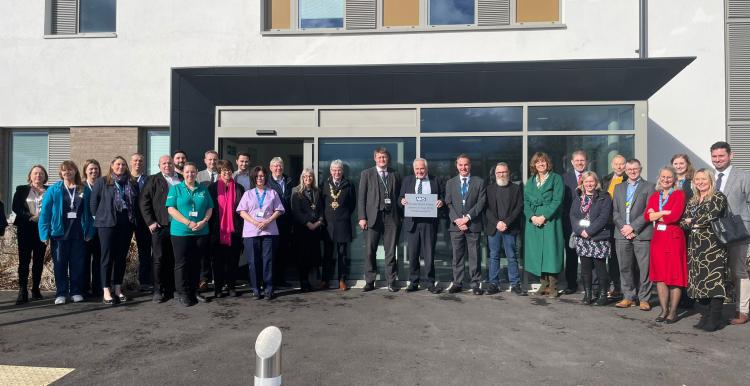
(668, 264)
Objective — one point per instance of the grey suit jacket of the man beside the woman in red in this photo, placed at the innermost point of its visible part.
(643, 229)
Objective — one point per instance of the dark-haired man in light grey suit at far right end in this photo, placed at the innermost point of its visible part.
(735, 184)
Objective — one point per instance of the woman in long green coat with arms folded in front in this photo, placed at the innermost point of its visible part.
(544, 239)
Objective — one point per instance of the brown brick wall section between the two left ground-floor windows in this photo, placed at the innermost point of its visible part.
(102, 144)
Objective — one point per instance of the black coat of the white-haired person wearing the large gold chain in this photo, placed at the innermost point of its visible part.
(339, 221)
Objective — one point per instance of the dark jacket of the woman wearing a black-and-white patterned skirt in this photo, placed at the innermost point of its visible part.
(600, 214)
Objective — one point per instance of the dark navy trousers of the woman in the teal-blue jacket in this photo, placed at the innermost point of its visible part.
(69, 258)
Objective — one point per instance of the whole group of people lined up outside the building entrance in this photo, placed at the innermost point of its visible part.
(191, 226)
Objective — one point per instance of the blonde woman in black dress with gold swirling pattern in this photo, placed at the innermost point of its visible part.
(707, 258)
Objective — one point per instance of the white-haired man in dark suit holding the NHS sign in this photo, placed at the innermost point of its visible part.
(421, 232)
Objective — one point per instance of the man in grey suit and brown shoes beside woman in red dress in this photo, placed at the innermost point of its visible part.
(633, 236)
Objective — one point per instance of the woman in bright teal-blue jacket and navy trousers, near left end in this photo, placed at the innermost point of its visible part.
(65, 220)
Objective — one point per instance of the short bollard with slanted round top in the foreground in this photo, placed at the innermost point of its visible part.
(268, 357)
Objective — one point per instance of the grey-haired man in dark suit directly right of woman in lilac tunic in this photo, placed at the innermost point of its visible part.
(283, 186)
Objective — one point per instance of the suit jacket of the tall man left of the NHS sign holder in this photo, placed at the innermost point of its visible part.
(368, 195)
